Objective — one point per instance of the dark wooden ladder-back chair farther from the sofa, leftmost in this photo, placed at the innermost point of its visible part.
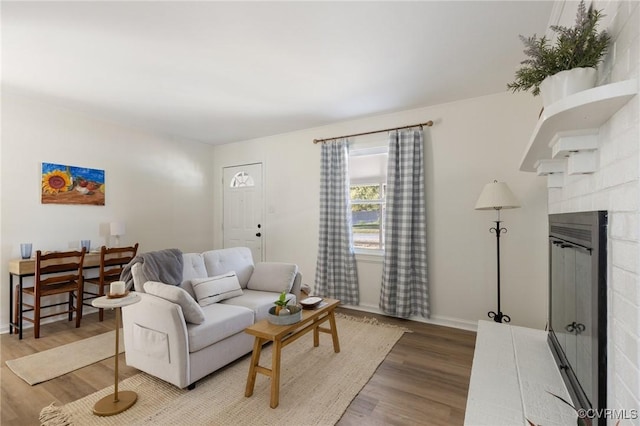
(55, 273)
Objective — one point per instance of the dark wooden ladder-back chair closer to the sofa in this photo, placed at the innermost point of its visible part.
(112, 261)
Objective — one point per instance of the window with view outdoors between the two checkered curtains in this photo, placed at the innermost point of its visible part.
(368, 184)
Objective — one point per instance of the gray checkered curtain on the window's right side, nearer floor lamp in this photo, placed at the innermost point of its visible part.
(404, 273)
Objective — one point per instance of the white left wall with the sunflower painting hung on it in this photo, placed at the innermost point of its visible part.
(160, 188)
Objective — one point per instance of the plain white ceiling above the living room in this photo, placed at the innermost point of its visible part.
(220, 72)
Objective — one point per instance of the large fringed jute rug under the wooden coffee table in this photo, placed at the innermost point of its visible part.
(316, 386)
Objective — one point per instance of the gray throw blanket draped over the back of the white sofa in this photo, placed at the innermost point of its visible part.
(165, 266)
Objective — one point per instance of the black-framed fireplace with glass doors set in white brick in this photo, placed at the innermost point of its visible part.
(577, 304)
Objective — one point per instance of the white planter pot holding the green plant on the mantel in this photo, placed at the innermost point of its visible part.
(565, 83)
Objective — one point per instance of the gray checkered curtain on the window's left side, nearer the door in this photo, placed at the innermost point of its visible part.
(336, 274)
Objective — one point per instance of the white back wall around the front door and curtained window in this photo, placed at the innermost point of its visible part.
(472, 142)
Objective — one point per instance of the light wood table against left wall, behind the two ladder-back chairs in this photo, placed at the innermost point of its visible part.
(20, 268)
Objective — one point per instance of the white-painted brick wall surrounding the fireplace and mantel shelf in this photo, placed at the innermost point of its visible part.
(616, 187)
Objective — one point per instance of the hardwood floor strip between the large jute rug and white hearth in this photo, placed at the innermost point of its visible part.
(423, 381)
